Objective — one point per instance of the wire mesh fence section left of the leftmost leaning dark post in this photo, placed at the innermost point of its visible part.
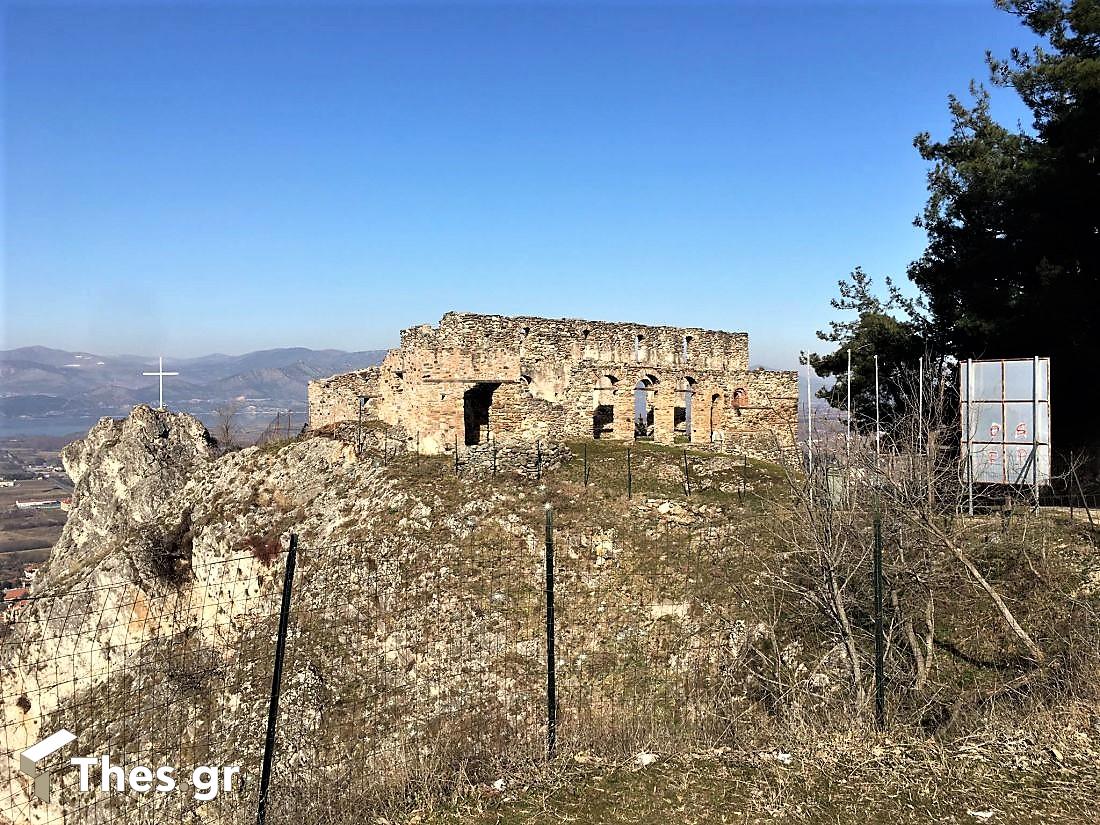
(146, 678)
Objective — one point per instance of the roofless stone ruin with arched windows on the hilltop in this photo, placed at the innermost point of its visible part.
(485, 379)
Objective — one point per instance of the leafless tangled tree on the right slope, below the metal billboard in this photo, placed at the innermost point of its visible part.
(912, 486)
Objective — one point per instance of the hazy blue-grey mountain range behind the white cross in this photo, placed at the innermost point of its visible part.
(38, 382)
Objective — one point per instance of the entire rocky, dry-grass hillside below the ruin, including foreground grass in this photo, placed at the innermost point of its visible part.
(713, 651)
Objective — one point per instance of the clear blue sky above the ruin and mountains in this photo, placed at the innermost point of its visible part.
(233, 178)
